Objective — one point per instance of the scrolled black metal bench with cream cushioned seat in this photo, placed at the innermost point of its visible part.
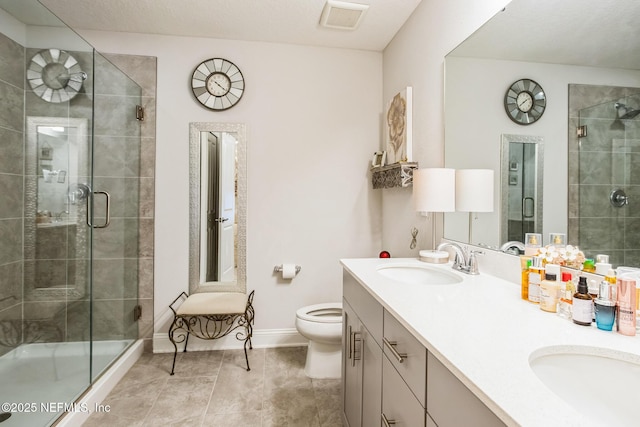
(209, 316)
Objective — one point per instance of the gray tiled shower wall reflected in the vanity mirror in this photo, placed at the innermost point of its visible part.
(606, 159)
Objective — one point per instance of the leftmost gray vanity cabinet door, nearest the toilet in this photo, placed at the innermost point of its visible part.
(351, 368)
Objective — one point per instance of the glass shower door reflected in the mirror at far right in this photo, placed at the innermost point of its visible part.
(608, 180)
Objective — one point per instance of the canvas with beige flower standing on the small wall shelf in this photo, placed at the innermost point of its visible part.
(398, 127)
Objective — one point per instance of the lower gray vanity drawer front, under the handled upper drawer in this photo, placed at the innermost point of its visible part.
(399, 406)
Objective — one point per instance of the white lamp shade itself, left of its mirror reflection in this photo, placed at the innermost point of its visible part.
(434, 190)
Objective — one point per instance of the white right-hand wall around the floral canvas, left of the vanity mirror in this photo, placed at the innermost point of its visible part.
(415, 58)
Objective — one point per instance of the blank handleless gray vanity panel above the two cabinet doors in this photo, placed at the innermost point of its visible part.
(367, 308)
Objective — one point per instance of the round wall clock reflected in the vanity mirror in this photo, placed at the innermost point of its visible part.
(525, 101)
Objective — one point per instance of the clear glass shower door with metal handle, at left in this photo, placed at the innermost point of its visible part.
(114, 214)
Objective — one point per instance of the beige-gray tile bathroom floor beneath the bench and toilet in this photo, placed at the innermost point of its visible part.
(213, 388)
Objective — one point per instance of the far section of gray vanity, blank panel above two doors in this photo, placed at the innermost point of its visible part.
(361, 356)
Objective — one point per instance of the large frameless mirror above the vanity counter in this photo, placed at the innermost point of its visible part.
(596, 43)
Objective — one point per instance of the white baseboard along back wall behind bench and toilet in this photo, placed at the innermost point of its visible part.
(265, 338)
